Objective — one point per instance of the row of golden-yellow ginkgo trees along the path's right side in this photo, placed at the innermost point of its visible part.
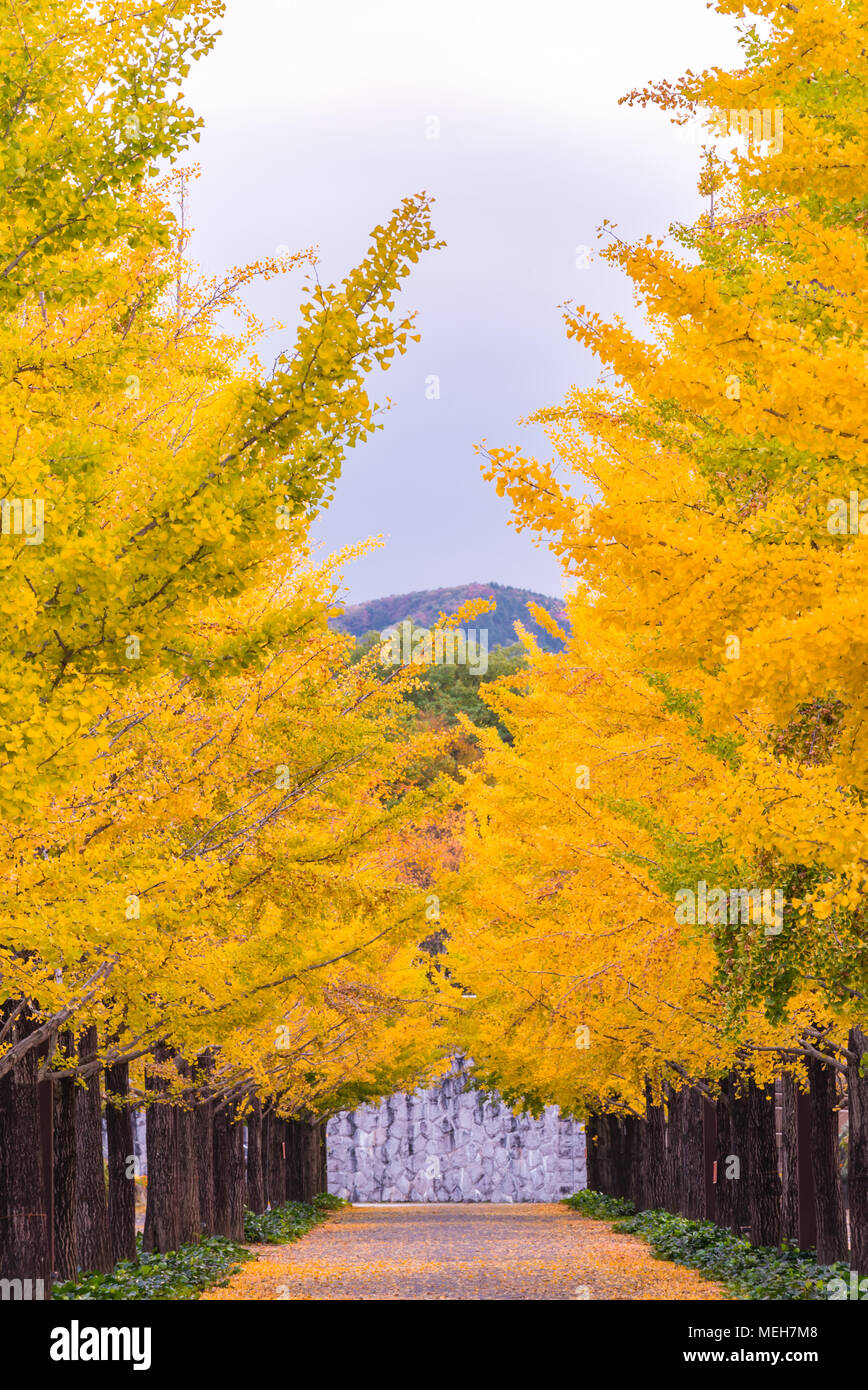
(712, 525)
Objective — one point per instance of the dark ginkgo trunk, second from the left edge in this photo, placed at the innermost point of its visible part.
(93, 1238)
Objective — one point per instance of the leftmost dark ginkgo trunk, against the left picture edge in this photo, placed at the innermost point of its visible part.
(24, 1224)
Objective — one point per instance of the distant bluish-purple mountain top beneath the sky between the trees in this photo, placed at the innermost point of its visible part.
(425, 605)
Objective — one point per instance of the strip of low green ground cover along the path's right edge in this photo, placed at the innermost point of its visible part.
(746, 1271)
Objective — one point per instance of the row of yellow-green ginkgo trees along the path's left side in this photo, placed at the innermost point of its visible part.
(214, 832)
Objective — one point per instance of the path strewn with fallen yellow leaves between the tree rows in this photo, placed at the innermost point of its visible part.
(464, 1253)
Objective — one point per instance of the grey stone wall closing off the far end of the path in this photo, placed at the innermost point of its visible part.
(453, 1146)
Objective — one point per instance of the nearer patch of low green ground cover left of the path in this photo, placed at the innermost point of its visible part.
(182, 1274)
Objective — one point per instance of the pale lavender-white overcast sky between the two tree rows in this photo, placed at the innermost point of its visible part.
(319, 122)
